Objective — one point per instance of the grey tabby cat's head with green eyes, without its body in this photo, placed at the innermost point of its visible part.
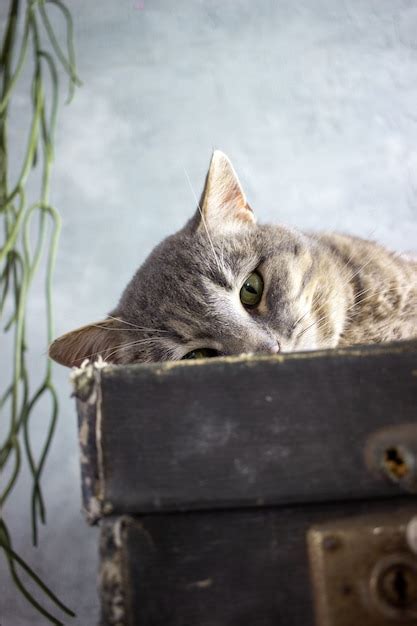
(222, 285)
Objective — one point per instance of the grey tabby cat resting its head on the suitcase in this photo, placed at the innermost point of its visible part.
(225, 285)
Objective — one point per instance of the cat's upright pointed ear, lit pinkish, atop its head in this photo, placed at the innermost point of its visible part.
(223, 202)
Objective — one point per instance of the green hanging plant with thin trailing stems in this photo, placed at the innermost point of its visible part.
(29, 35)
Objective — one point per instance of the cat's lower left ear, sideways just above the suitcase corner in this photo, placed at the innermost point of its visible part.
(88, 342)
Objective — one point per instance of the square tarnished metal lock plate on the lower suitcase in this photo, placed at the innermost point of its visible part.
(363, 571)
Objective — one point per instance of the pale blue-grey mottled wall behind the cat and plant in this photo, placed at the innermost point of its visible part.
(315, 103)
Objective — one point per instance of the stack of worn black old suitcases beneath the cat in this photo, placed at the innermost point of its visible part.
(254, 491)
